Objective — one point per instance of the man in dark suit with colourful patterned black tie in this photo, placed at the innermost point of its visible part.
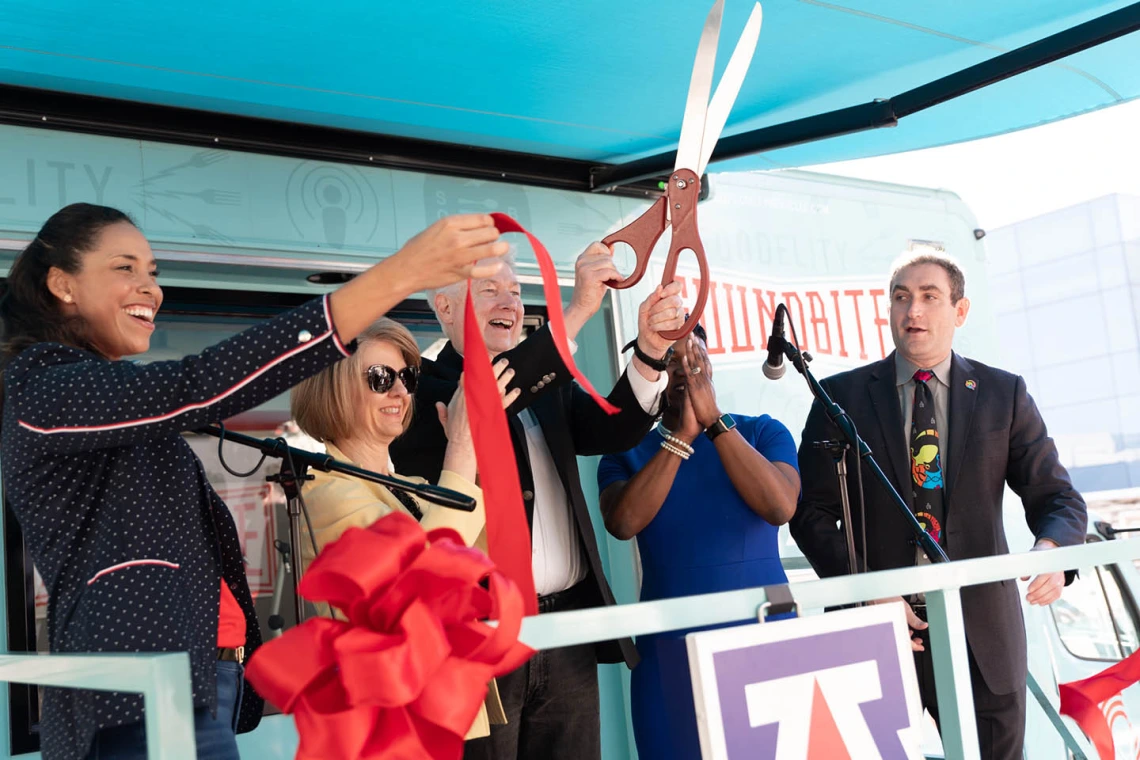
(950, 434)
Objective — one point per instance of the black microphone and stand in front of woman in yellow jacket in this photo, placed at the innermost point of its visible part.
(296, 464)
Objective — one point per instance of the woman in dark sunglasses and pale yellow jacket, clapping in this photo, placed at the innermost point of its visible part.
(357, 408)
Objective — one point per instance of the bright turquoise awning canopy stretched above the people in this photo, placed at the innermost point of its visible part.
(592, 80)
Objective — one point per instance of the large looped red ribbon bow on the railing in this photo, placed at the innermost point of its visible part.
(404, 679)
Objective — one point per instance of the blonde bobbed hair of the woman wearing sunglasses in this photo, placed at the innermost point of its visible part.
(322, 406)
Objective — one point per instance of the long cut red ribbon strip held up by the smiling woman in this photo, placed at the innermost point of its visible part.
(508, 534)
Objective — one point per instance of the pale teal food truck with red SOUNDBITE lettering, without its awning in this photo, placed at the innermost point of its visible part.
(819, 244)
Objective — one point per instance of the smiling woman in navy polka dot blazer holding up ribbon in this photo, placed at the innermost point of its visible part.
(137, 551)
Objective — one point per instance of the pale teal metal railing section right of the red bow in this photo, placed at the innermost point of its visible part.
(940, 583)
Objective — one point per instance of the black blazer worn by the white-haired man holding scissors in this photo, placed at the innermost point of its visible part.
(573, 424)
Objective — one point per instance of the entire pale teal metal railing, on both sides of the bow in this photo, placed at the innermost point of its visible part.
(165, 680)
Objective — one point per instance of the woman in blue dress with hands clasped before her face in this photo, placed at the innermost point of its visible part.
(705, 495)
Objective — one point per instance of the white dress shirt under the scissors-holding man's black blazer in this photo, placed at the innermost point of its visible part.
(557, 555)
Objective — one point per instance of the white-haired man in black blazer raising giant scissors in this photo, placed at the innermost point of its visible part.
(552, 702)
